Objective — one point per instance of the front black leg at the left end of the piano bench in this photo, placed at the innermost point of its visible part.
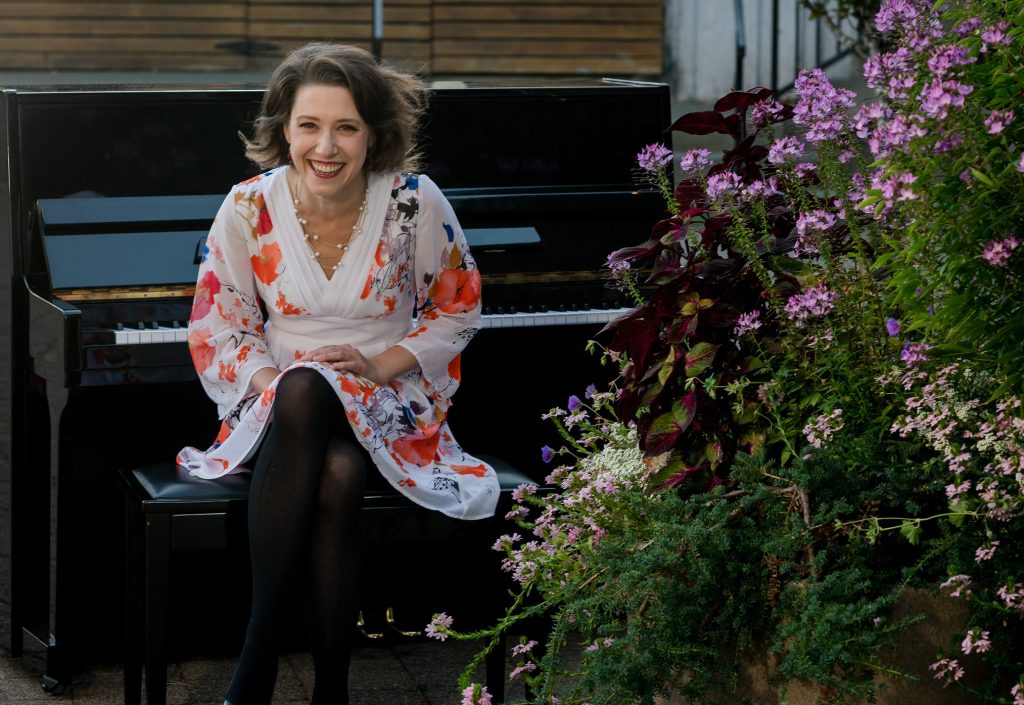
(158, 556)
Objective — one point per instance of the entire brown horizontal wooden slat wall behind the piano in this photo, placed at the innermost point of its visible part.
(471, 37)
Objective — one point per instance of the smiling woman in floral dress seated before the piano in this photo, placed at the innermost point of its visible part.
(370, 294)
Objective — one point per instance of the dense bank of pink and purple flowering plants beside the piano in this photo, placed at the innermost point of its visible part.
(820, 393)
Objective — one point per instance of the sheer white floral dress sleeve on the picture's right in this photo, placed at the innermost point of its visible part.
(448, 292)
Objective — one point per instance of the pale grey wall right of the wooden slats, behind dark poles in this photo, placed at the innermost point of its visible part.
(701, 47)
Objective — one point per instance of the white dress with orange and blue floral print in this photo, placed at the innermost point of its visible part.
(409, 280)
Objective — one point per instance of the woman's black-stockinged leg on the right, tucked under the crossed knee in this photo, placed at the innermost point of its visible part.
(335, 568)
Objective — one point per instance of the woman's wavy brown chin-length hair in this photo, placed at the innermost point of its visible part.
(391, 103)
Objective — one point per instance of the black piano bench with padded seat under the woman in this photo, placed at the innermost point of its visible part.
(170, 512)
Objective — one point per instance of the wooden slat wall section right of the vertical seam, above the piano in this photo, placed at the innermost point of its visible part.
(552, 37)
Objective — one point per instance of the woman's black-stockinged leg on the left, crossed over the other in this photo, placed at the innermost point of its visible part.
(283, 507)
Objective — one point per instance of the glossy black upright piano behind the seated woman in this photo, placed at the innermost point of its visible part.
(109, 195)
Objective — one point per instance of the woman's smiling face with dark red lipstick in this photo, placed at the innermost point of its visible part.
(328, 142)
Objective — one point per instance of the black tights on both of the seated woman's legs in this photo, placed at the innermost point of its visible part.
(304, 520)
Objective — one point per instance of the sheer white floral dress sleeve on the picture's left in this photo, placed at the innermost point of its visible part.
(226, 329)
